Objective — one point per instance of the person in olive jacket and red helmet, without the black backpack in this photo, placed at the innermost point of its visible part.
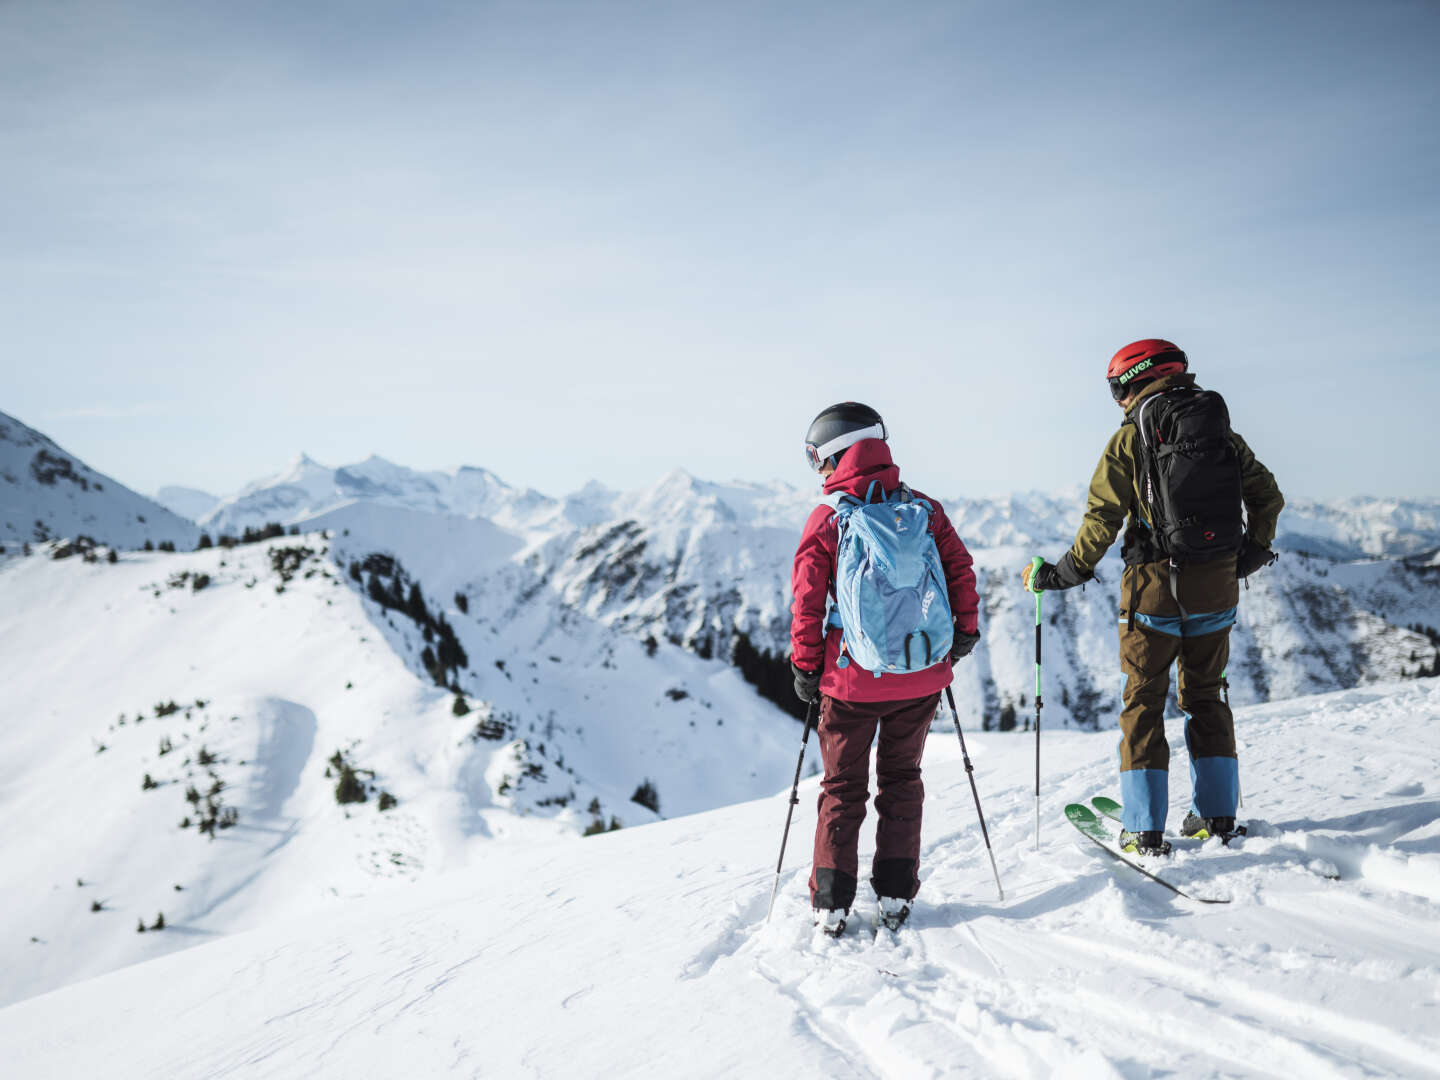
(1170, 611)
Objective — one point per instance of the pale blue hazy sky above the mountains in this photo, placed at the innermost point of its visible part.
(604, 240)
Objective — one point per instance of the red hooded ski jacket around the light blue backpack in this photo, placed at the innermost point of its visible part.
(813, 581)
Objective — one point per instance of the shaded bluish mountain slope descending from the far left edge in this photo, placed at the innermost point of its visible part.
(48, 493)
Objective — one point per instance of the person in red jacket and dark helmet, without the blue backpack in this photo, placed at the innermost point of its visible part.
(847, 446)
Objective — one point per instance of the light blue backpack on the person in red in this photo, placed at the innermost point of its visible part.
(891, 595)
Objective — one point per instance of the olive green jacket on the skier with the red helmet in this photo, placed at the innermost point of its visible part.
(1115, 490)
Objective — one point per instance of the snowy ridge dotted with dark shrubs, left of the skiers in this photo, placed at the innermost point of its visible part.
(233, 678)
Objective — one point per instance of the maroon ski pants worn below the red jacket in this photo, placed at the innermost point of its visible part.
(846, 732)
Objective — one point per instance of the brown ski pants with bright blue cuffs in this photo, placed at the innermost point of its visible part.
(1164, 623)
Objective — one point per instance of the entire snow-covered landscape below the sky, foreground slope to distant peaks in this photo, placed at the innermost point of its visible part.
(472, 930)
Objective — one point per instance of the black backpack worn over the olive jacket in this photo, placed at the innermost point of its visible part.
(1192, 474)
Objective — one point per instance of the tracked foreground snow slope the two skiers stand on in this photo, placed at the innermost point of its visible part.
(647, 954)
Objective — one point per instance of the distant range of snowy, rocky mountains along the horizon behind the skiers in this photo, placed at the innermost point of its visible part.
(706, 567)
